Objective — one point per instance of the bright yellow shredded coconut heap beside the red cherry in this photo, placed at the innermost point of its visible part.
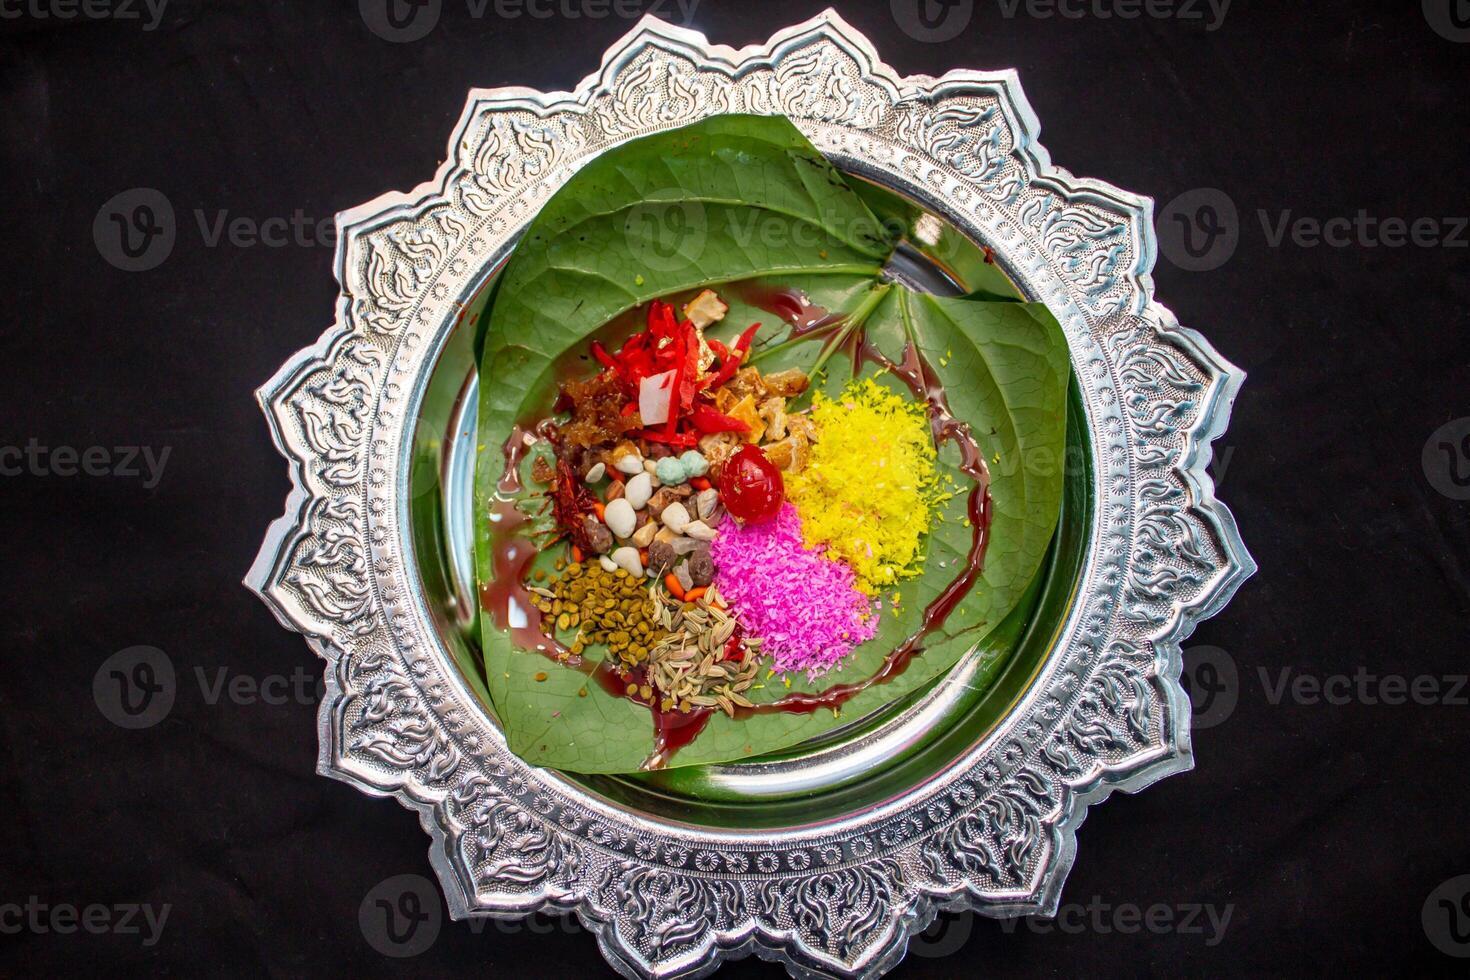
(871, 489)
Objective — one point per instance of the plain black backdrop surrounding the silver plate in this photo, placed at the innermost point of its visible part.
(1324, 828)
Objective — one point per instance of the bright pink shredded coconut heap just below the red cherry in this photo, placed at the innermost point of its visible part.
(802, 606)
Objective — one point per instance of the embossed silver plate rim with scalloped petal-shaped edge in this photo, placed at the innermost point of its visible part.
(839, 894)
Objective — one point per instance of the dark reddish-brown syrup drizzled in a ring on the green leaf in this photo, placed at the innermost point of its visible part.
(511, 606)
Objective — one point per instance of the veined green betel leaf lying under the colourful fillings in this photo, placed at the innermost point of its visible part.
(747, 206)
